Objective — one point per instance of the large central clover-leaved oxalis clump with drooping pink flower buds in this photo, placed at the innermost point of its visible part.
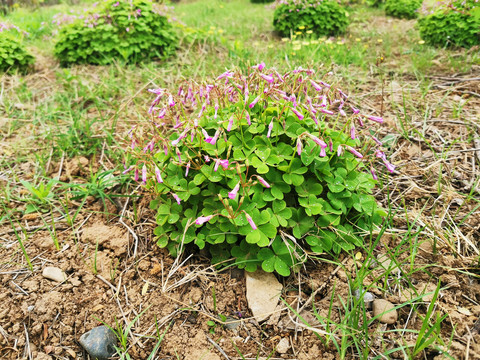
(265, 168)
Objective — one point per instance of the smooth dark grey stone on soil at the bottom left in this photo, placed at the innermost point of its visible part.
(99, 342)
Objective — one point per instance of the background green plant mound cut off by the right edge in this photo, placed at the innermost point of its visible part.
(454, 24)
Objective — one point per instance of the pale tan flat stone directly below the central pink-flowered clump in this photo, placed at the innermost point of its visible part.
(263, 293)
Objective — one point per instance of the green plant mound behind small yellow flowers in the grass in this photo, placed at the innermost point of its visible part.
(322, 17)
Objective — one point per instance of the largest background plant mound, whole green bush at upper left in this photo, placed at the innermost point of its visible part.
(131, 31)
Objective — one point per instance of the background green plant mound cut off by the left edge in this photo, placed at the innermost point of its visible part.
(14, 56)
